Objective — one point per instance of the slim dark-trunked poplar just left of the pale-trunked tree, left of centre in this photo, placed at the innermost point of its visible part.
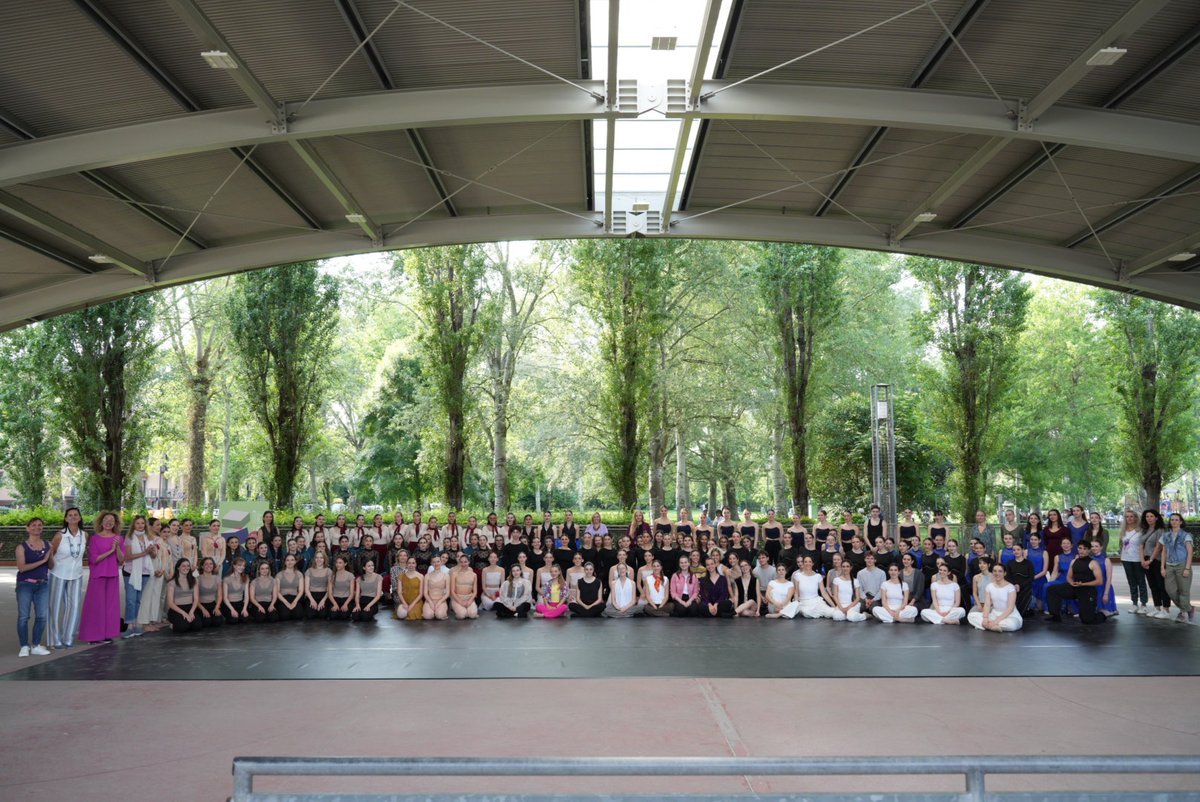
(449, 284)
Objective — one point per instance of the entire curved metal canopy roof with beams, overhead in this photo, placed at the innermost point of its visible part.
(962, 129)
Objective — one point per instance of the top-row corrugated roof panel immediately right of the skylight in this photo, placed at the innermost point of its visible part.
(773, 32)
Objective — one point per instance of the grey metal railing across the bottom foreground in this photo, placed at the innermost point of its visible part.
(973, 769)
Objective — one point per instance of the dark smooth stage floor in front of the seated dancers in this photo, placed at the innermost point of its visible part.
(491, 649)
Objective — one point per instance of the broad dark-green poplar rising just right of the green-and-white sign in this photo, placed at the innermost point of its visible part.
(281, 327)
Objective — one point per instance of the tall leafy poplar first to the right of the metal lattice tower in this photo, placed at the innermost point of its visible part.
(974, 321)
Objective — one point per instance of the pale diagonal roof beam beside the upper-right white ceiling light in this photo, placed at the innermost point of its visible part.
(1031, 112)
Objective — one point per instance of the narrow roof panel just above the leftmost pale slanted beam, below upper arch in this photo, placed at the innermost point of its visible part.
(105, 217)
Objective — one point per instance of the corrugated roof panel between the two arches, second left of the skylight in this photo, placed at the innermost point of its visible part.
(389, 190)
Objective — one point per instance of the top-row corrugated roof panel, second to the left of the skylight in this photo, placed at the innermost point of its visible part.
(292, 47)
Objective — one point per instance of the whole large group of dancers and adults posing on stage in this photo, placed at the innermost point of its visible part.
(667, 567)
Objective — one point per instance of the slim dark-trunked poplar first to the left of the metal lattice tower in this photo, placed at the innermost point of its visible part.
(801, 290)
